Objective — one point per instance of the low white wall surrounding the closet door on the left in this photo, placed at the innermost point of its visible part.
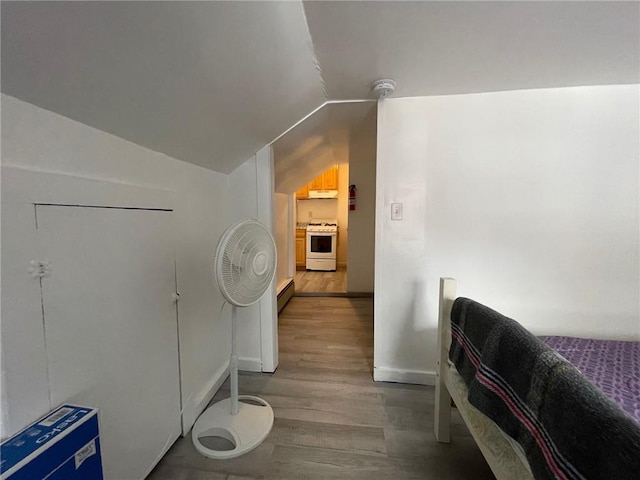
(48, 158)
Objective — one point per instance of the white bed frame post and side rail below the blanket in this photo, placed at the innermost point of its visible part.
(503, 455)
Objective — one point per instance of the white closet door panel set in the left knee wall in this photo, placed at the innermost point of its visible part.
(111, 327)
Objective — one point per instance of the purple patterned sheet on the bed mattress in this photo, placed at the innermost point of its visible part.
(613, 366)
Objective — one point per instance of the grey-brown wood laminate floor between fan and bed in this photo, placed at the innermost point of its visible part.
(332, 421)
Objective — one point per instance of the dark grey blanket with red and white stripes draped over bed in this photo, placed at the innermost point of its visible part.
(567, 427)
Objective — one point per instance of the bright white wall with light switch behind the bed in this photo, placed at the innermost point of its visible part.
(529, 198)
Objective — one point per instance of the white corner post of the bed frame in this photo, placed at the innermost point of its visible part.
(442, 414)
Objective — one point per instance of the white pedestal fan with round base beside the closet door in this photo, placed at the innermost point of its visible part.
(244, 266)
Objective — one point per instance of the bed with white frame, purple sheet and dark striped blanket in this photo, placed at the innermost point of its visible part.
(533, 414)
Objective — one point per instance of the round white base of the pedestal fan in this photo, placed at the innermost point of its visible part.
(245, 430)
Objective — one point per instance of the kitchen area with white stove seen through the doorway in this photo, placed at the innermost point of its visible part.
(325, 203)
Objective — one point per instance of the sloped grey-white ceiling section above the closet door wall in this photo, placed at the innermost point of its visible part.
(209, 83)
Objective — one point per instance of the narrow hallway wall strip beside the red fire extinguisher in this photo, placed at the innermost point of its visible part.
(362, 173)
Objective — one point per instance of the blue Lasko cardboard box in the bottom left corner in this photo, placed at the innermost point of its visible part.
(64, 444)
